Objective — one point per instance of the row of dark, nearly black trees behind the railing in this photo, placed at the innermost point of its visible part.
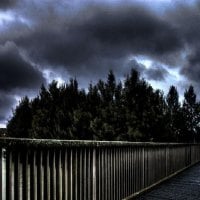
(108, 110)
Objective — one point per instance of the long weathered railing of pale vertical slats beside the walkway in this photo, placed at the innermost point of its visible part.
(84, 170)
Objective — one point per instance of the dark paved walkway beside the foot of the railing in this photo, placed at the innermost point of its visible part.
(184, 186)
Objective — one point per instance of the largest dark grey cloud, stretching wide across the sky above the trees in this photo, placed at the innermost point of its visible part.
(112, 33)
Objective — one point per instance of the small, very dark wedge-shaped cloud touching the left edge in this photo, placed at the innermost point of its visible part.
(15, 71)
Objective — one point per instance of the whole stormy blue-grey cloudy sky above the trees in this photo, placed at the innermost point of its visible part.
(45, 40)
